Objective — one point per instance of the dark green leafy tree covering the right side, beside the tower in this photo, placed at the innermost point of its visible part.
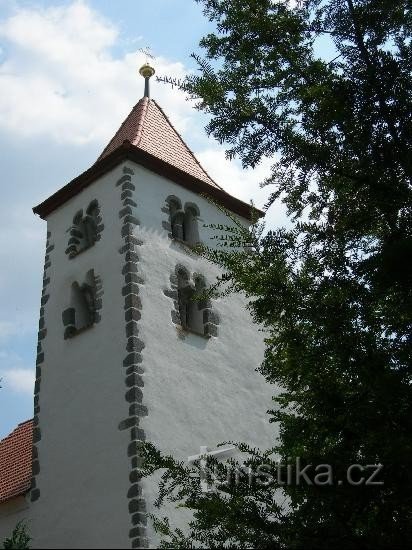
(334, 290)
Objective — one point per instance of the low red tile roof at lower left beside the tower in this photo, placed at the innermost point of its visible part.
(16, 461)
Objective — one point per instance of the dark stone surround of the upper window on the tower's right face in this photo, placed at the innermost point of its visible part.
(181, 211)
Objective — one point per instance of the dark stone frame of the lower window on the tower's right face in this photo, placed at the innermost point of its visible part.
(210, 317)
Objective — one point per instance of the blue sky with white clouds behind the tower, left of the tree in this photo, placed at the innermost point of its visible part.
(68, 77)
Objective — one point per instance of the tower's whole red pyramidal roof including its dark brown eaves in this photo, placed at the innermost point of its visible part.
(147, 137)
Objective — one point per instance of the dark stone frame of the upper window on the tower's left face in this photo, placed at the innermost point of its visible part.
(75, 246)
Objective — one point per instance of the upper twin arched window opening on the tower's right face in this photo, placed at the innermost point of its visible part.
(183, 221)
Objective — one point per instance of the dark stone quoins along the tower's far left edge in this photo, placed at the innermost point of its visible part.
(35, 491)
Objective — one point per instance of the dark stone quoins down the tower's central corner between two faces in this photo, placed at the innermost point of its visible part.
(132, 362)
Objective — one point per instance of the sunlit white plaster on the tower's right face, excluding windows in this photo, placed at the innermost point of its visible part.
(198, 391)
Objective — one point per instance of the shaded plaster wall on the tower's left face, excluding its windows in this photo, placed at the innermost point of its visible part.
(84, 468)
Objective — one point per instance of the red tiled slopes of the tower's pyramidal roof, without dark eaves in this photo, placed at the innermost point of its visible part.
(149, 129)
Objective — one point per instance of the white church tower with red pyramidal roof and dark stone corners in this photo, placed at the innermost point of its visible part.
(124, 354)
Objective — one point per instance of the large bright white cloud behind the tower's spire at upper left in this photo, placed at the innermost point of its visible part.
(60, 79)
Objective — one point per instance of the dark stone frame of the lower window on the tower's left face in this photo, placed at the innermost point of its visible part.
(69, 314)
